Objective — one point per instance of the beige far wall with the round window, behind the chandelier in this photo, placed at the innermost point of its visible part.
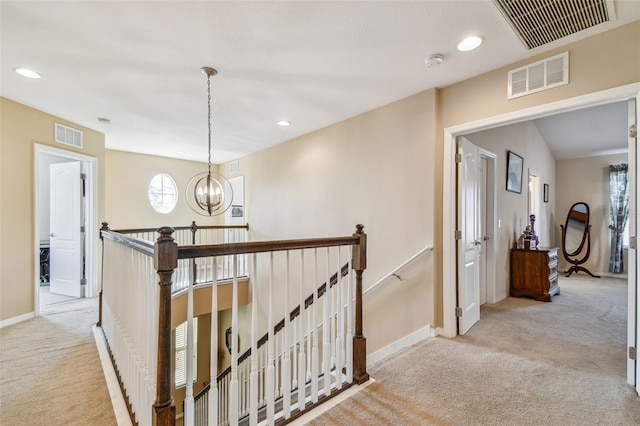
(127, 185)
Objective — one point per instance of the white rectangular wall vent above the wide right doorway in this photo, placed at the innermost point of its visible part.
(538, 76)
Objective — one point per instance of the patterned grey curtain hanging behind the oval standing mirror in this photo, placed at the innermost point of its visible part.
(618, 212)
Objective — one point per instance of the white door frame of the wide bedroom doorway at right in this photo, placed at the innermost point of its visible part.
(450, 134)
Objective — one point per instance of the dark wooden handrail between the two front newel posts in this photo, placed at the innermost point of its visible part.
(188, 252)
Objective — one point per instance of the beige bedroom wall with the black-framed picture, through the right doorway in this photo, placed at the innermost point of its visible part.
(525, 140)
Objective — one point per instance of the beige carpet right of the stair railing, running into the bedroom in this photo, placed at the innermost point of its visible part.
(524, 363)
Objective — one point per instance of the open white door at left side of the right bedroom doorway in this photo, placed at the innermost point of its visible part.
(470, 239)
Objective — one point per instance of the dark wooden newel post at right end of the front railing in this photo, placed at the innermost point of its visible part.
(359, 263)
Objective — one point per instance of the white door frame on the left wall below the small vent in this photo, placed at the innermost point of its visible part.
(90, 167)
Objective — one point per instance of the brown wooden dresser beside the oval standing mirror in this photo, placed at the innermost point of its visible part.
(534, 273)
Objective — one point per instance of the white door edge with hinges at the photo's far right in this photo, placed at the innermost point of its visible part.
(633, 300)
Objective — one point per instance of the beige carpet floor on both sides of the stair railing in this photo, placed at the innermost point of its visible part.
(523, 363)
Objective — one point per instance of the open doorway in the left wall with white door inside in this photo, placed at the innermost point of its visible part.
(82, 262)
